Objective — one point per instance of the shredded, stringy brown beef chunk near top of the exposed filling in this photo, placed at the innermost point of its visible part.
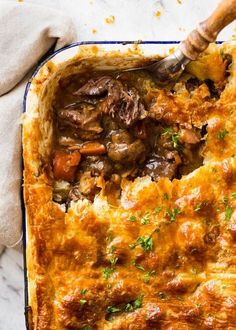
(121, 102)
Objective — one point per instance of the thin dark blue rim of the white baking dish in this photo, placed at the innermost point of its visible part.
(49, 57)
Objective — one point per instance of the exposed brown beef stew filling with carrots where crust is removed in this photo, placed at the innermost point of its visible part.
(103, 134)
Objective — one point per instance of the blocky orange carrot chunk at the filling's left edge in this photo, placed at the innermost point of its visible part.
(65, 165)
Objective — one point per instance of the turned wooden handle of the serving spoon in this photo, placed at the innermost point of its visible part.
(207, 31)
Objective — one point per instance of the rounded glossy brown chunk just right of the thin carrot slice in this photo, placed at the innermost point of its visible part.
(124, 149)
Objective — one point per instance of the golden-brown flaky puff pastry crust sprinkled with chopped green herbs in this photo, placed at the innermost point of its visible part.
(95, 268)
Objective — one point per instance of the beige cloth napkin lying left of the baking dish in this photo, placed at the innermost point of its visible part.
(27, 32)
